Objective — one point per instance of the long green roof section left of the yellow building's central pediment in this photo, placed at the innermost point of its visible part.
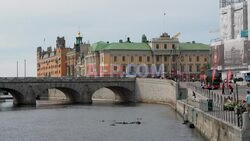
(120, 46)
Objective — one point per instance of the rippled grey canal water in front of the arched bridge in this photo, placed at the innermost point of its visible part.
(97, 122)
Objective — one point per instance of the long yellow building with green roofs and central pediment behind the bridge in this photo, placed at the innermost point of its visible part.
(163, 56)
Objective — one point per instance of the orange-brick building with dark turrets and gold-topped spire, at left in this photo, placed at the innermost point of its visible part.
(62, 61)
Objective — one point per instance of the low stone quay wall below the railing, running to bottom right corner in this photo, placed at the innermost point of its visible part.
(212, 128)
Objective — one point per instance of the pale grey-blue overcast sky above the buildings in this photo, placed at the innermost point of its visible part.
(25, 23)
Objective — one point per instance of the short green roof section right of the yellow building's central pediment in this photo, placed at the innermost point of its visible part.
(194, 46)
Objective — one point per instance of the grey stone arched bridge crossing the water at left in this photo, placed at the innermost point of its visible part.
(77, 90)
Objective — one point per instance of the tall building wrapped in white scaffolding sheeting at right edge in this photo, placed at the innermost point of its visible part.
(232, 50)
